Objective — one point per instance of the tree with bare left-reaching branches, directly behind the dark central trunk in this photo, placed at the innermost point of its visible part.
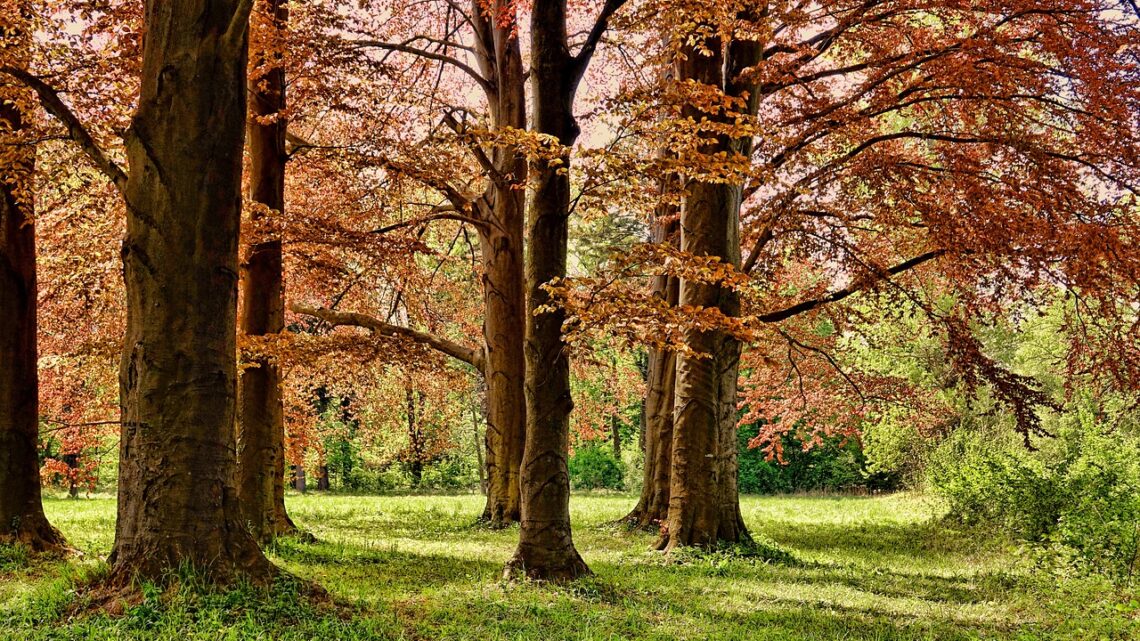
(491, 28)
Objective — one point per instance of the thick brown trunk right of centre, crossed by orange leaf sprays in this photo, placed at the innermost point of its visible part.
(705, 502)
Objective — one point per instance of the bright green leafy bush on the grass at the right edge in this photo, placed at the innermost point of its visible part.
(1077, 502)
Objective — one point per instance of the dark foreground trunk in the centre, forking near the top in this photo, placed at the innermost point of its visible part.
(547, 549)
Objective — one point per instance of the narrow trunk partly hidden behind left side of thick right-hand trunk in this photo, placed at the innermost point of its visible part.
(654, 505)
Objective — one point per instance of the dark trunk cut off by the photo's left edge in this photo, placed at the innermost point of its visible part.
(22, 518)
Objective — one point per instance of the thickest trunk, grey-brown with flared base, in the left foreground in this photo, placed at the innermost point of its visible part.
(177, 497)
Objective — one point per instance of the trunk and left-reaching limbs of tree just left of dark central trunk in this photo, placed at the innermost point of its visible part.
(498, 215)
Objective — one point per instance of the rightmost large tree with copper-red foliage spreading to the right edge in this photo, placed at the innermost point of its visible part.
(987, 157)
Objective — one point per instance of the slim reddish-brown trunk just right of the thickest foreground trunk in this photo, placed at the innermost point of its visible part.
(262, 424)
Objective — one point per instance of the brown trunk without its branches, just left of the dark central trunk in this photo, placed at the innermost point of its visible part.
(501, 246)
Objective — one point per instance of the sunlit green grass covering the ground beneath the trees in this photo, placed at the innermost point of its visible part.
(417, 569)
